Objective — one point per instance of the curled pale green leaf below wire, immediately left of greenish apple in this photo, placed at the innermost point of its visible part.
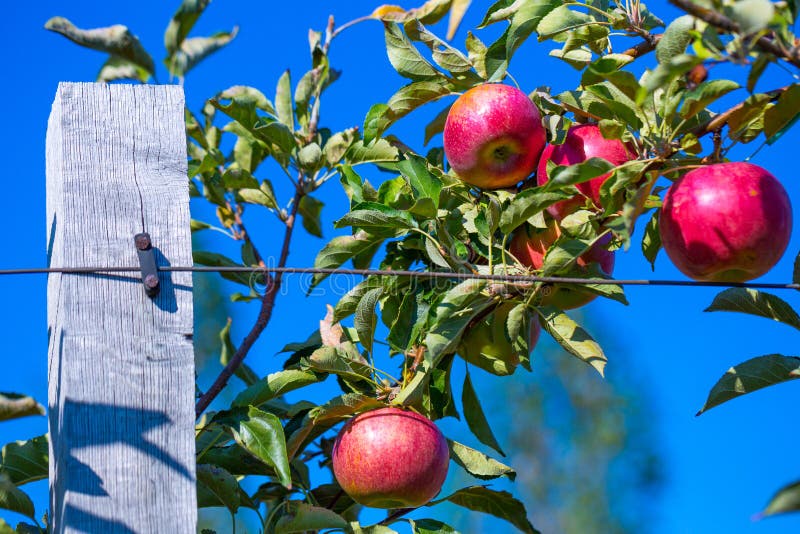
(459, 306)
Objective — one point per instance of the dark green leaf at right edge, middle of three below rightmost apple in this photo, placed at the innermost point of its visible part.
(752, 375)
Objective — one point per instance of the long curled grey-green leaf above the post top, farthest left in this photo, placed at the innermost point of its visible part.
(116, 40)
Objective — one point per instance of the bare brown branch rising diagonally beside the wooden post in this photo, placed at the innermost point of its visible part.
(264, 315)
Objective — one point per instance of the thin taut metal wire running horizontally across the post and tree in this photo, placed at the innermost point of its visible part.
(511, 278)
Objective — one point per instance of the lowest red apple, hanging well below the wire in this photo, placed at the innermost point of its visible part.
(390, 458)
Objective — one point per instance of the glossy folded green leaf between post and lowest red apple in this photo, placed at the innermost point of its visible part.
(261, 434)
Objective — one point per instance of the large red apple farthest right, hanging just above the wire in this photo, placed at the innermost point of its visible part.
(727, 222)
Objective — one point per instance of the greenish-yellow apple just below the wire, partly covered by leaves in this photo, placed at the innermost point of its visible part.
(486, 346)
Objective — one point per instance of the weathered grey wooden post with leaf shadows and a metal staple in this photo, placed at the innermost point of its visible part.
(121, 365)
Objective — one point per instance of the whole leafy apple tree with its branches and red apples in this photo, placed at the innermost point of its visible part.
(525, 182)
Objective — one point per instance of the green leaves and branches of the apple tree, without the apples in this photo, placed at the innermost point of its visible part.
(423, 218)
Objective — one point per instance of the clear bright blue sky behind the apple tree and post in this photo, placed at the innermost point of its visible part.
(721, 467)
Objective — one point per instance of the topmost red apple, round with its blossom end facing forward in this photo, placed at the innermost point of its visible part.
(493, 136)
